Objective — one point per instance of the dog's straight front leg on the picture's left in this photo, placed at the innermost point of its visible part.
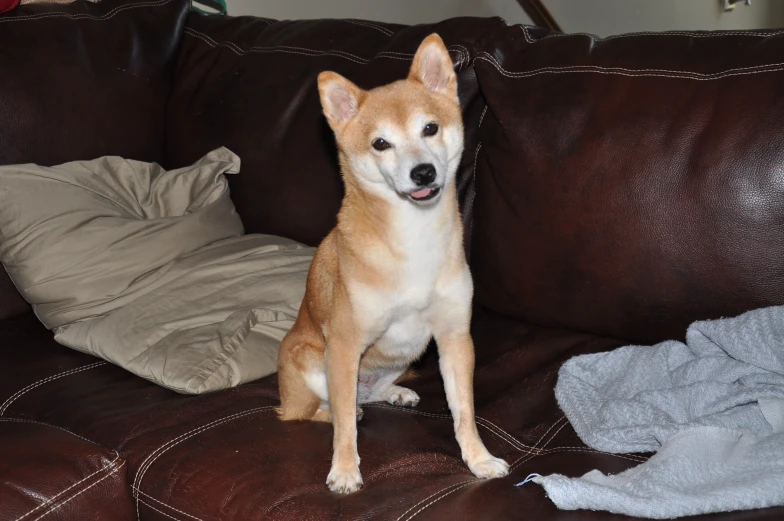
(343, 356)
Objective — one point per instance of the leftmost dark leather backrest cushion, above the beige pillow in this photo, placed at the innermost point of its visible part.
(83, 80)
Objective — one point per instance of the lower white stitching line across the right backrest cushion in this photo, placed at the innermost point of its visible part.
(757, 69)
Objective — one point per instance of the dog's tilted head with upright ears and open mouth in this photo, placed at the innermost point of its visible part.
(402, 141)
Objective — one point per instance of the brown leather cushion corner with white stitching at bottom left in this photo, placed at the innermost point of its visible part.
(50, 473)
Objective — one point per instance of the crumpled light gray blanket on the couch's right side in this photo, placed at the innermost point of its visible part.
(712, 409)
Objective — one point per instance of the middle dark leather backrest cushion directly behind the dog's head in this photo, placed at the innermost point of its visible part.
(250, 84)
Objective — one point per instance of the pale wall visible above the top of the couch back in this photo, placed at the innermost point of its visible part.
(601, 17)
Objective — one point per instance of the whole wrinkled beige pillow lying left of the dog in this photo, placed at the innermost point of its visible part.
(149, 269)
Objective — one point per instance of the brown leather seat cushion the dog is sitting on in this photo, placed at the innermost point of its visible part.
(226, 456)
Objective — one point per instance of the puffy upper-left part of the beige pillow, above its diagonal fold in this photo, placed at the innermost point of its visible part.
(83, 238)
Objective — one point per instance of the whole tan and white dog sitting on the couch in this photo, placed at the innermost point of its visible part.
(392, 274)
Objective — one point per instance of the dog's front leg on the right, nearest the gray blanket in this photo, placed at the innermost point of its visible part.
(456, 360)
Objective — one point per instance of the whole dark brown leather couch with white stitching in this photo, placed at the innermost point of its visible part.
(613, 190)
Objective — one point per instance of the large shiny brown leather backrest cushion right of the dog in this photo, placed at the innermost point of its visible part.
(631, 185)
